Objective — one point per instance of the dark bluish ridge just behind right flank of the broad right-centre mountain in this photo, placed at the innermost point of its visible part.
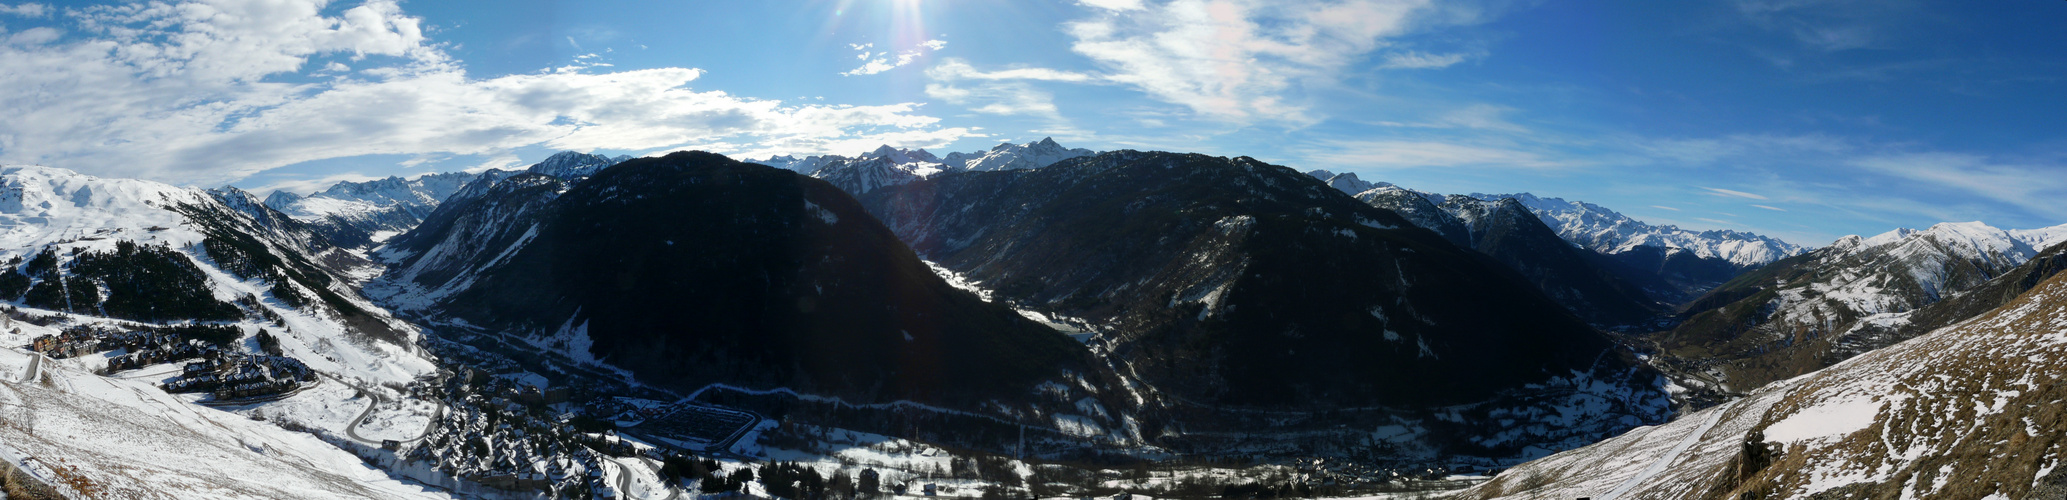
(1514, 237)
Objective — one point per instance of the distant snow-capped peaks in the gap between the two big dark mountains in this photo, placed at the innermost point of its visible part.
(888, 166)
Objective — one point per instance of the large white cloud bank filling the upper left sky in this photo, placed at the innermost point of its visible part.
(189, 94)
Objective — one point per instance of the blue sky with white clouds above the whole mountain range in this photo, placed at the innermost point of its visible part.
(1793, 119)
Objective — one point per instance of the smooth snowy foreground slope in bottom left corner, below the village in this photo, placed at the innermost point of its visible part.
(125, 439)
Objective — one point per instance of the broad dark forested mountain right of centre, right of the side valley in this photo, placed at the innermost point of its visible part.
(1231, 286)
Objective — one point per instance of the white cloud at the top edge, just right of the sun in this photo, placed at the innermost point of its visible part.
(1243, 61)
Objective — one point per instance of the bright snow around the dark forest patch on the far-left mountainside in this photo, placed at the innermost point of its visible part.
(71, 214)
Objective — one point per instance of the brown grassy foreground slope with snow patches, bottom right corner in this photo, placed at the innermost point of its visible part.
(1965, 412)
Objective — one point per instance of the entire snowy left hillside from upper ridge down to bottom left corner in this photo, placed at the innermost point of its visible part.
(96, 261)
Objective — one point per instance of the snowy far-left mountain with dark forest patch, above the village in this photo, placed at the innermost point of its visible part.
(131, 253)
